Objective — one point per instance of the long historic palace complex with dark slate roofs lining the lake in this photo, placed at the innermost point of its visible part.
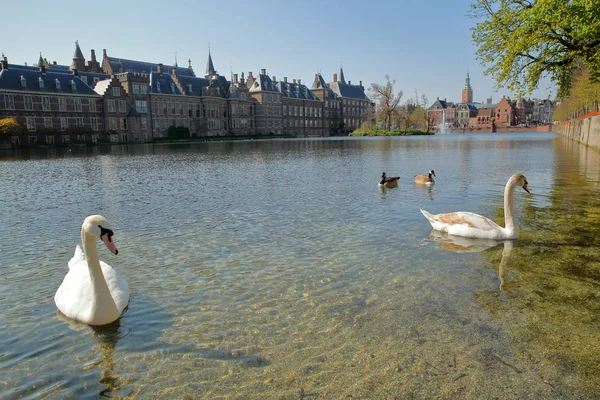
(144, 100)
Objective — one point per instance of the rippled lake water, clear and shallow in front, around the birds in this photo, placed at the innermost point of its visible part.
(279, 270)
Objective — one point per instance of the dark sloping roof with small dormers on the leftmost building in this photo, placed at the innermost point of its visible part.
(10, 79)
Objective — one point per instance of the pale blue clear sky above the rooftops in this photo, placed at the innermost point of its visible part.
(422, 45)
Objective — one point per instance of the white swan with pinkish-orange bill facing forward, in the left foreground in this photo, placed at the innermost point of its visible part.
(92, 292)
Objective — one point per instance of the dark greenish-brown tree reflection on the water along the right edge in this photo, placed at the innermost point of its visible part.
(550, 284)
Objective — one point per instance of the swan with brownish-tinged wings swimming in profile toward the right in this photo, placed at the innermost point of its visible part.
(476, 226)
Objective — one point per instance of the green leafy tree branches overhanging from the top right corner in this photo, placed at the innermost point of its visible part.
(519, 41)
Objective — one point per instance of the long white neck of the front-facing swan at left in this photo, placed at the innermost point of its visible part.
(103, 306)
